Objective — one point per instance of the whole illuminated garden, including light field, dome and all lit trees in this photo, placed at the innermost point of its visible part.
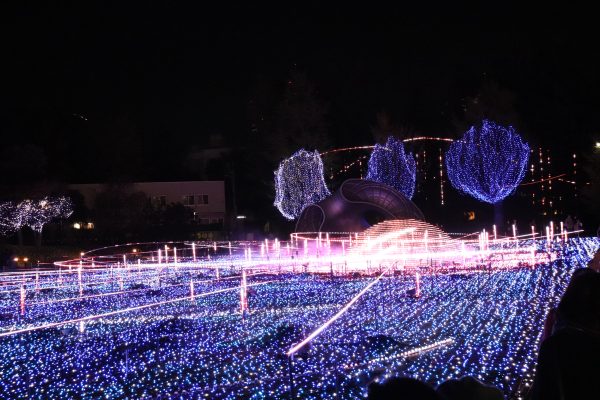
(335, 307)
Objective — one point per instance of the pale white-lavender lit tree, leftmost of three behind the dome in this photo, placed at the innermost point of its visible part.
(299, 182)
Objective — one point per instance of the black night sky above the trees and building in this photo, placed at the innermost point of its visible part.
(174, 73)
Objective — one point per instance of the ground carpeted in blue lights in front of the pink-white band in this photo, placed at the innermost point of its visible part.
(486, 324)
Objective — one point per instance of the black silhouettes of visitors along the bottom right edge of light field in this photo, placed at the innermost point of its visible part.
(568, 365)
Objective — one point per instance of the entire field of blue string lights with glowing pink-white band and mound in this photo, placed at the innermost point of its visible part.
(183, 336)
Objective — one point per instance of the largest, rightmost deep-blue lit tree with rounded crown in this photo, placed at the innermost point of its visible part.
(488, 162)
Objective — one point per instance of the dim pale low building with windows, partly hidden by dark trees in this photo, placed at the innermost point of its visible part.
(205, 198)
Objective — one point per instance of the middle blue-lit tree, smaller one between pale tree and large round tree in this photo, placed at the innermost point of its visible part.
(391, 165)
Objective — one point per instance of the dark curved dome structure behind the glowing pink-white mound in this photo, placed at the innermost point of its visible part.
(357, 205)
